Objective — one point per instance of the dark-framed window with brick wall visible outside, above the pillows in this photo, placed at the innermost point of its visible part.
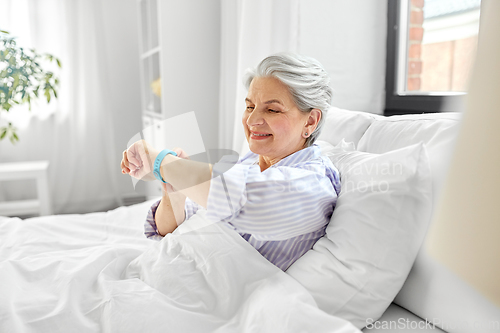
(431, 45)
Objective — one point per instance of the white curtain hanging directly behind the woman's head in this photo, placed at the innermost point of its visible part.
(250, 31)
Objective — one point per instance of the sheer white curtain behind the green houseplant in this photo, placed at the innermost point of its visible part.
(76, 132)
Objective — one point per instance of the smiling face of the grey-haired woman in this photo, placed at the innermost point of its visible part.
(274, 126)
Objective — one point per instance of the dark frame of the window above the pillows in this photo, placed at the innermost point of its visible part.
(410, 103)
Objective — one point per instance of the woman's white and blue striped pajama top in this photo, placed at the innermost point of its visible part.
(281, 211)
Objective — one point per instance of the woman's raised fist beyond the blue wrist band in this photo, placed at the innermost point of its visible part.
(138, 160)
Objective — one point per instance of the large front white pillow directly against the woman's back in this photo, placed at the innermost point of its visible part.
(375, 232)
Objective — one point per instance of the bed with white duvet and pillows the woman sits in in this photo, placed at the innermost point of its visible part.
(99, 273)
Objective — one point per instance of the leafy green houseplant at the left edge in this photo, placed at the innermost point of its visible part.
(23, 79)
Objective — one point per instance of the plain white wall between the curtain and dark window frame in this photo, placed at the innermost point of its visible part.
(349, 39)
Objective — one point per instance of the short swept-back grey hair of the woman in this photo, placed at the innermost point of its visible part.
(306, 79)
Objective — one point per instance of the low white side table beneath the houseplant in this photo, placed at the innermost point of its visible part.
(27, 170)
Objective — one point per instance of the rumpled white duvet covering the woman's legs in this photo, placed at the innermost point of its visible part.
(98, 273)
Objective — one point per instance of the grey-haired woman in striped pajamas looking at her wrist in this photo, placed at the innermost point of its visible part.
(279, 197)
